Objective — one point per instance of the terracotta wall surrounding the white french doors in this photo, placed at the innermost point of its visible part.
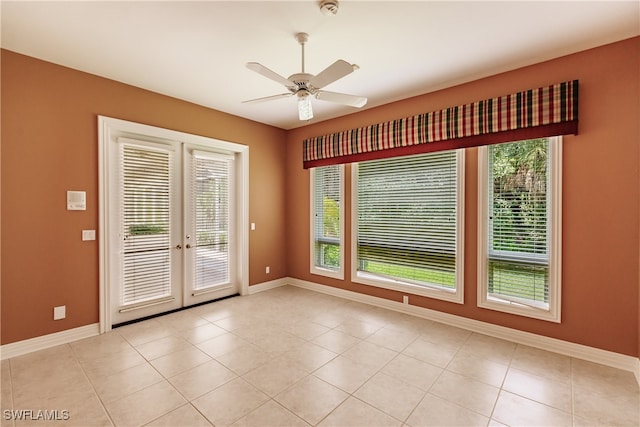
(50, 145)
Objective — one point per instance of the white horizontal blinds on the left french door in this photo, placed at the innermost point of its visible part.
(145, 209)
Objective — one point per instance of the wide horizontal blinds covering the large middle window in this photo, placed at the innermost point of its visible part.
(407, 210)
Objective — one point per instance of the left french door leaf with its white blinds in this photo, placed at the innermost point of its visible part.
(149, 266)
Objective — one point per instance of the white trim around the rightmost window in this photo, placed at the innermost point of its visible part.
(551, 314)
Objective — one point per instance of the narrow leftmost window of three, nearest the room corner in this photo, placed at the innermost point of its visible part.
(327, 255)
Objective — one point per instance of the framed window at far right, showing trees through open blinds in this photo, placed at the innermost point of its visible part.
(519, 228)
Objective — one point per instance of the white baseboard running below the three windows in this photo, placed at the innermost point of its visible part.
(579, 351)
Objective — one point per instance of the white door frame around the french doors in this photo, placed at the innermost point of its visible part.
(109, 128)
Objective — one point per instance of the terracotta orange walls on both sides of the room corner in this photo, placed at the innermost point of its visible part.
(49, 145)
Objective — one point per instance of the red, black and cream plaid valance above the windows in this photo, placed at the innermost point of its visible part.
(536, 113)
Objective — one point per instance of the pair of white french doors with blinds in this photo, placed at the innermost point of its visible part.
(172, 210)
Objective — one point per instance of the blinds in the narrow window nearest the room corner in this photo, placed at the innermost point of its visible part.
(327, 230)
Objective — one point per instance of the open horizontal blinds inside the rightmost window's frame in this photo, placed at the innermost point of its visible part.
(518, 221)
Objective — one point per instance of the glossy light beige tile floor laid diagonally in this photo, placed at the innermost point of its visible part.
(292, 357)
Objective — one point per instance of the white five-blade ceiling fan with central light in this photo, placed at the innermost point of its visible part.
(304, 85)
